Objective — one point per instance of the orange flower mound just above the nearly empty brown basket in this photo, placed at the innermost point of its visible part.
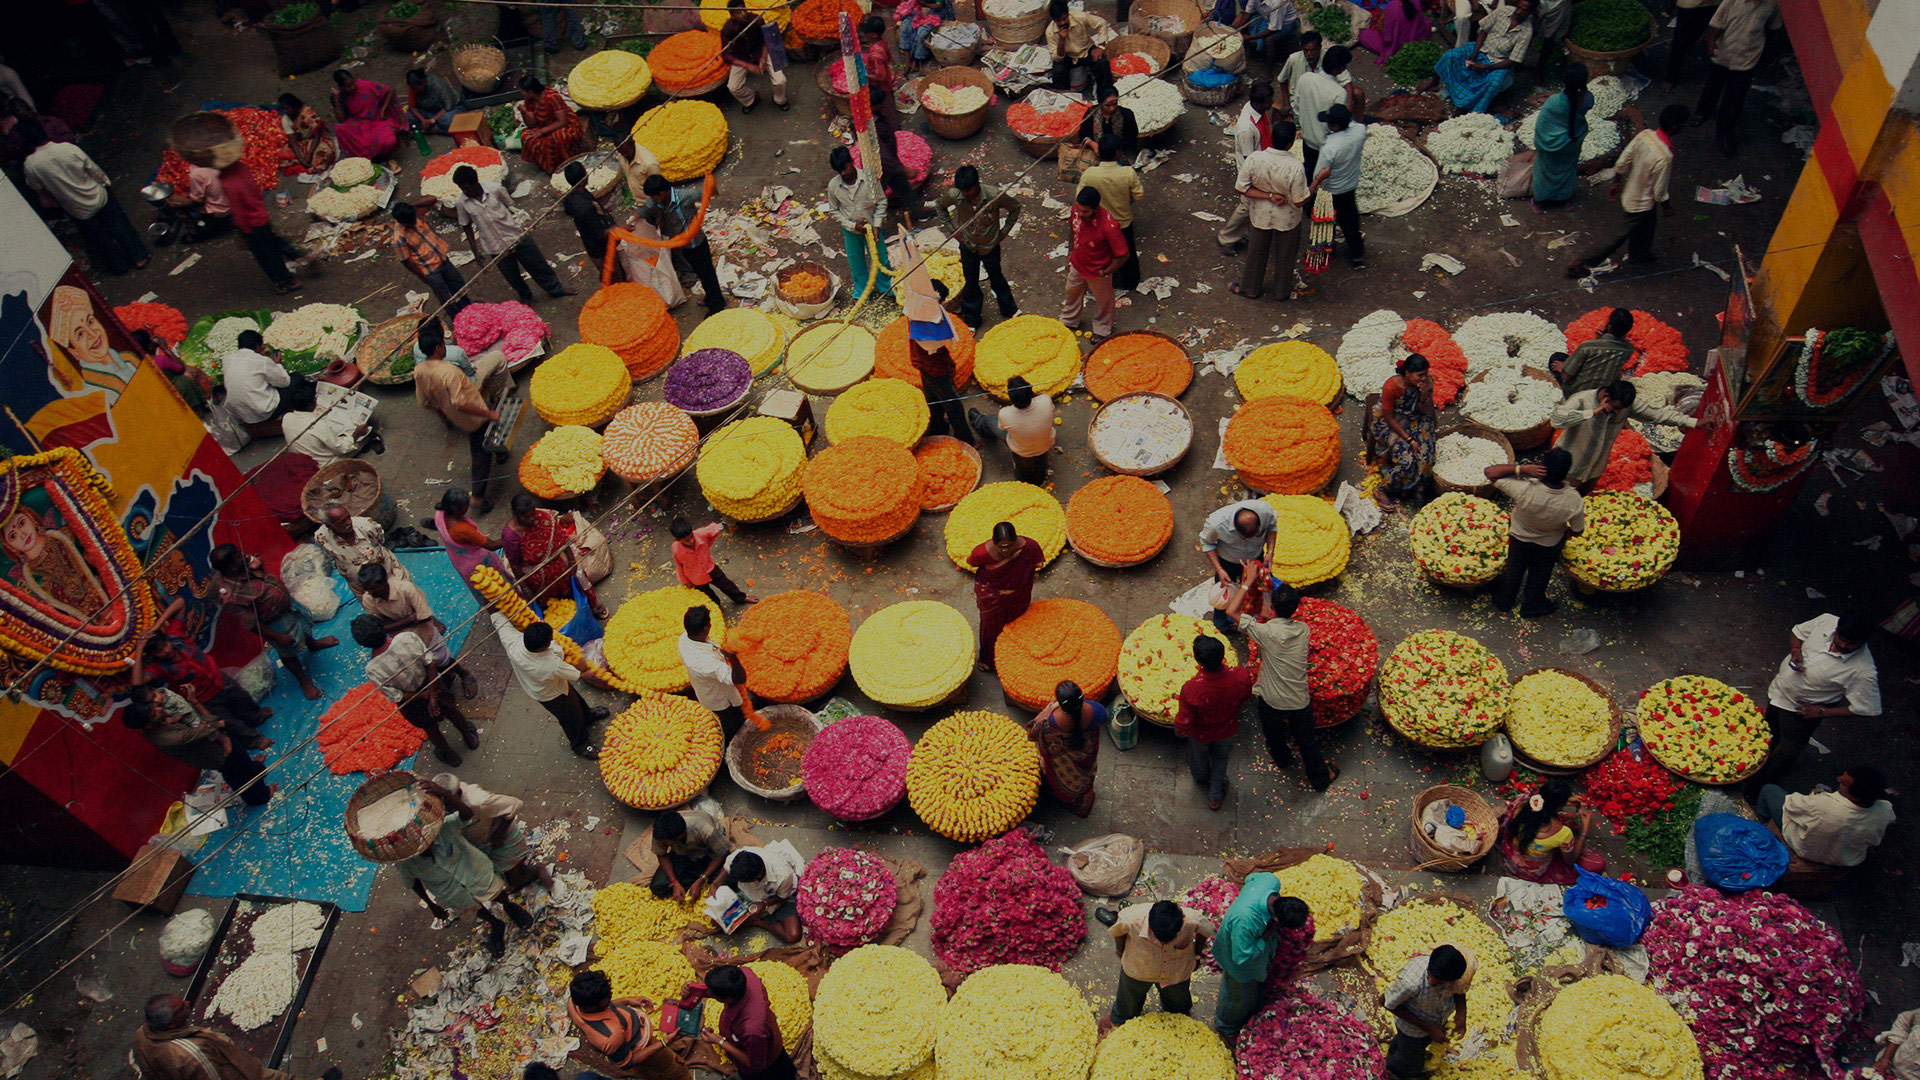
(794, 647)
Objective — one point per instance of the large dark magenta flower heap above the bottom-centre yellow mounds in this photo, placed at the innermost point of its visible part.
(1005, 904)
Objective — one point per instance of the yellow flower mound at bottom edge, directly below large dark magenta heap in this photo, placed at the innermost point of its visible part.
(1017, 1023)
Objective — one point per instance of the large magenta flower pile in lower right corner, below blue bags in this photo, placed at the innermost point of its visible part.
(1764, 983)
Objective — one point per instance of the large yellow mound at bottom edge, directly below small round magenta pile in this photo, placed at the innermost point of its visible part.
(878, 1012)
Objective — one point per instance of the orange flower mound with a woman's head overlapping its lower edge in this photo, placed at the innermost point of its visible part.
(1055, 641)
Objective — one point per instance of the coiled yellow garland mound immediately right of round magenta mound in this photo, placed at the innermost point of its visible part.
(974, 775)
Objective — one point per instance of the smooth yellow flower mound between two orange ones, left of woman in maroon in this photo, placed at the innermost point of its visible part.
(913, 654)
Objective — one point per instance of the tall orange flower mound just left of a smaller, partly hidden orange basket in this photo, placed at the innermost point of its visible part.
(863, 491)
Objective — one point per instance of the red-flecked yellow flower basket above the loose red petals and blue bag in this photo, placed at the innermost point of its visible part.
(1702, 729)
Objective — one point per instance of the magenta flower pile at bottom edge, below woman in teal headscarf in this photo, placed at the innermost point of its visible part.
(1299, 1037)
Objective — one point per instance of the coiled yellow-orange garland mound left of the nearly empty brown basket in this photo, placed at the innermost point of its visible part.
(660, 752)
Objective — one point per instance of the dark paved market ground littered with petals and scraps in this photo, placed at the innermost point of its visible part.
(1727, 622)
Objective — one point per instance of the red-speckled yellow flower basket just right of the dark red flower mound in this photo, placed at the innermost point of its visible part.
(1445, 691)
